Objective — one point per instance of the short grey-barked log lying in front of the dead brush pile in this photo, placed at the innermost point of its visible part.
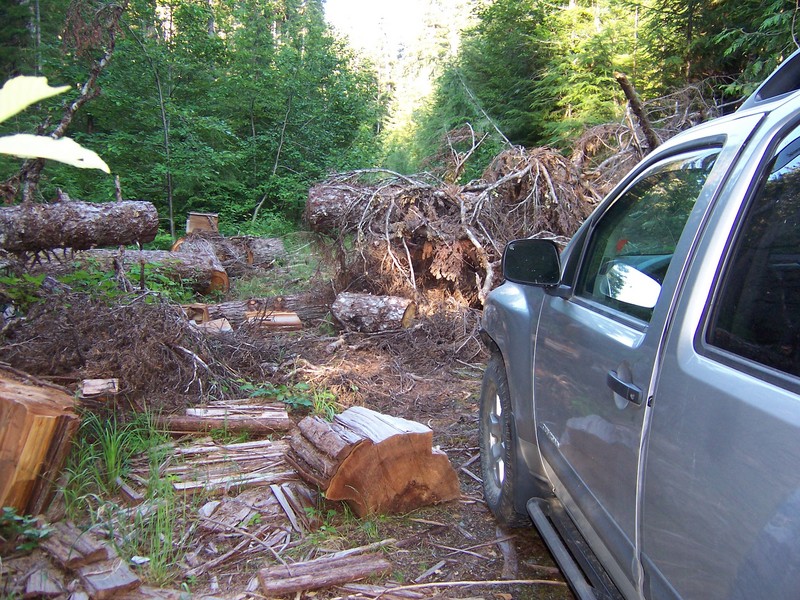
(373, 314)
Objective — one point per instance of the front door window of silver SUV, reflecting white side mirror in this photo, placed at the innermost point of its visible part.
(632, 245)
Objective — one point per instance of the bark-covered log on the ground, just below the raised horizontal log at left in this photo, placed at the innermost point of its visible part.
(202, 272)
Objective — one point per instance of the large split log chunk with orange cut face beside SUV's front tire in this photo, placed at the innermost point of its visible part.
(375, 462)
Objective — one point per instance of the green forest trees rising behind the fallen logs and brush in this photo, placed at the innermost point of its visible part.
(238, 106)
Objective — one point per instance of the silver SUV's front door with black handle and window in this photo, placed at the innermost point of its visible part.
(595, 350)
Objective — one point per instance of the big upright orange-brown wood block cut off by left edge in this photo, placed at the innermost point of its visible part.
(38, 426)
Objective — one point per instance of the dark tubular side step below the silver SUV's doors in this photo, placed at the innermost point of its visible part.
(583, 571)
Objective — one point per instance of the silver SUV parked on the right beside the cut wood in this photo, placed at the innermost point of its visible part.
(642, 400)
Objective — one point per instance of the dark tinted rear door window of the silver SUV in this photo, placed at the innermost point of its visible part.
(758, 312)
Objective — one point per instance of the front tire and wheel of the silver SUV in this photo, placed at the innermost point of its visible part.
(497, 432)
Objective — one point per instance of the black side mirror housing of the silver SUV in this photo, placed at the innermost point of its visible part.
(532, 262)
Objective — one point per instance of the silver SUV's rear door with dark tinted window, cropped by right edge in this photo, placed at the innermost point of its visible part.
(721, 498)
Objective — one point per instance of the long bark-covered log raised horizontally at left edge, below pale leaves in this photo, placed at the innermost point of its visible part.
(30, 227)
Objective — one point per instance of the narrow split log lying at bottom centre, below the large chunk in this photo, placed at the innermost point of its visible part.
(321, 573)
